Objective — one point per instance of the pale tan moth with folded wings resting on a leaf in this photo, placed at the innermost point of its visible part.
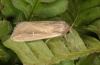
(36, 30)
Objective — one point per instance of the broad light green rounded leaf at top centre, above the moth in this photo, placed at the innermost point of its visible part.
(55, 8)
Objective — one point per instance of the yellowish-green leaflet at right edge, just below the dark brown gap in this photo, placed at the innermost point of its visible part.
(92, 43)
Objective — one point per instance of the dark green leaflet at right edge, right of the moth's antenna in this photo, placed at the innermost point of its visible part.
(85, 17)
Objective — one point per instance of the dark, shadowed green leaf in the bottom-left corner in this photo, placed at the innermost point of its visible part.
(7, 56)
